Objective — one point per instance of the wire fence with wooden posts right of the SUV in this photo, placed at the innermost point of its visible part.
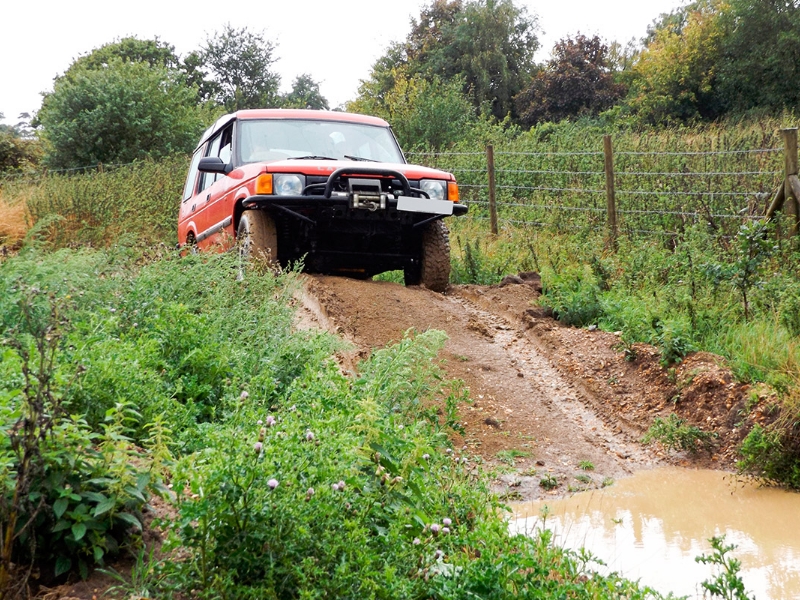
(654, 192)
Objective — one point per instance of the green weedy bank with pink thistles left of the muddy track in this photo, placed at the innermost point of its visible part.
(289, 478)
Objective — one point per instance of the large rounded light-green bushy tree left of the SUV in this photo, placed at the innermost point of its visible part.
(119, 113)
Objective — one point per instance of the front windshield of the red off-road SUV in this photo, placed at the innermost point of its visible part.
(281, 139)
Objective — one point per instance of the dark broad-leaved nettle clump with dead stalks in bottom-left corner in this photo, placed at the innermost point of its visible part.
(70, 496)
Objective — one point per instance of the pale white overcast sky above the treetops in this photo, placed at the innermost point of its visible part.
(335, 42)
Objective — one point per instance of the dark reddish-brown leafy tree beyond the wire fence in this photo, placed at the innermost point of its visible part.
(576, 81)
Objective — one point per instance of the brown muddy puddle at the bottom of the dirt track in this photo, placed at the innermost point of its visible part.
(651, 526)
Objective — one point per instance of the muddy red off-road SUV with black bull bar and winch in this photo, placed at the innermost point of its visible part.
(329, 188)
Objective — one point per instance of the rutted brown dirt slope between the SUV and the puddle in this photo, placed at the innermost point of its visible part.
(548, 400)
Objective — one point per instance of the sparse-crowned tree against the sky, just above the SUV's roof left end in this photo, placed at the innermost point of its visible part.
(238, 62)
